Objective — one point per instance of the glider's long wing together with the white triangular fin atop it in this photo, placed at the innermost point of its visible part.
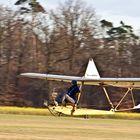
(91, 77)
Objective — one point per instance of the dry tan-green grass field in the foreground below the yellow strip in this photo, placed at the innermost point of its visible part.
(32, 127)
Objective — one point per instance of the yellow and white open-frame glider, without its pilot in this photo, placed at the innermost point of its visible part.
(91, 77)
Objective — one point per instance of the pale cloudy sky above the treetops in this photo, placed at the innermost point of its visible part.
(111, 10)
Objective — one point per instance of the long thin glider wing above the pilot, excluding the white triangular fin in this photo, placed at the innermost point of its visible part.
(117, 82)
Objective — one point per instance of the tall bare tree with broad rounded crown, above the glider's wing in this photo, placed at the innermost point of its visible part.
(75, 25)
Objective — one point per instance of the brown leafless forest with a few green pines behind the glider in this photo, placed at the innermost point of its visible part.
(61, 41)
